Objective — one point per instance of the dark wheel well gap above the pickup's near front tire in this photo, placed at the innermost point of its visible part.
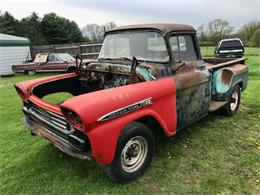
(152, 124)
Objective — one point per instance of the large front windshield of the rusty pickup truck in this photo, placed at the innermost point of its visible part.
(147, 46)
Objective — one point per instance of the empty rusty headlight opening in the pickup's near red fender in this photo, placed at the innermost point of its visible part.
(73, 119)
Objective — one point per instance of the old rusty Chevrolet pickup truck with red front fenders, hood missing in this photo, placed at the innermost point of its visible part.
(147, 78)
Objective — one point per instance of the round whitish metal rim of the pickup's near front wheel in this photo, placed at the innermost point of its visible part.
(134, 153)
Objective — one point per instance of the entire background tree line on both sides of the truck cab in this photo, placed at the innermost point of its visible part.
(54, 29)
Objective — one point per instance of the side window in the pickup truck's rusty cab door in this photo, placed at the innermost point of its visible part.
(183, 48)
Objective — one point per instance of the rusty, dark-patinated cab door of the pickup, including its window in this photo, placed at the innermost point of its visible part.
(192, 78)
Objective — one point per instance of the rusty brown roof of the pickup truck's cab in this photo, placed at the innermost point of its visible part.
(165, 27)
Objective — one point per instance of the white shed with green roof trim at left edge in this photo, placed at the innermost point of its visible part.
(13, 50)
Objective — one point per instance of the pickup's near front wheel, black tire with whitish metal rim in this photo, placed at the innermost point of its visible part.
(133, 137)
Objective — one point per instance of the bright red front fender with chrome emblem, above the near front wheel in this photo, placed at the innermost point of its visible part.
(103, 135)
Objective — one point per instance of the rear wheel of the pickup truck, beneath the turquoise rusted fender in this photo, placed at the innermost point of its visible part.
(231, 108)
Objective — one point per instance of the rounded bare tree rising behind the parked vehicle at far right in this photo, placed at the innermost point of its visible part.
(219, 29)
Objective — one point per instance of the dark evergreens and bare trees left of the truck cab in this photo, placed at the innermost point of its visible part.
(52, 29)
